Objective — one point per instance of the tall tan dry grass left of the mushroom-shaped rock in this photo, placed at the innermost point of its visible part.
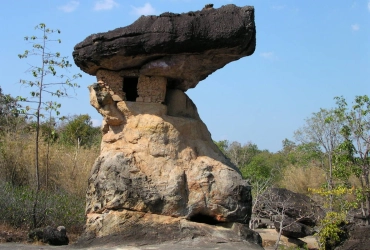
(61, 167)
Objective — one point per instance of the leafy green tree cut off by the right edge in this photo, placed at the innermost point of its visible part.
(353, 153)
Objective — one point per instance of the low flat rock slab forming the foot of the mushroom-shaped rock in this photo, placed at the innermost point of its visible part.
(138, 229)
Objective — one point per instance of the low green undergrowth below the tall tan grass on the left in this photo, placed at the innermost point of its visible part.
(55, 208)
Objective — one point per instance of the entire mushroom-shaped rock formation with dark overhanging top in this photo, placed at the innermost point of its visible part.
(159, 173)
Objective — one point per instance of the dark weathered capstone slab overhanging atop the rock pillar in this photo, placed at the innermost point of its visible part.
(185, 48)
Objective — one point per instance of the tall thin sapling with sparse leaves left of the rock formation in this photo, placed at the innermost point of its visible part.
(45, 82)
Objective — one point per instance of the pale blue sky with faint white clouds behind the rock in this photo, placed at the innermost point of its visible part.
(307, 53)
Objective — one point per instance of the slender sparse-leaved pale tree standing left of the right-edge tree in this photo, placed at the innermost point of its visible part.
(323, 129)
